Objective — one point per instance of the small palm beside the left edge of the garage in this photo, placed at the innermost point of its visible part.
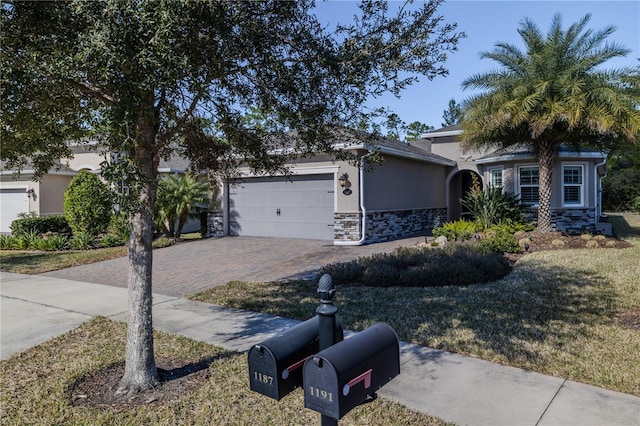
(178, 196)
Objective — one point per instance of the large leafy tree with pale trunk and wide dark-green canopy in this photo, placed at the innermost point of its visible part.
(153, 77)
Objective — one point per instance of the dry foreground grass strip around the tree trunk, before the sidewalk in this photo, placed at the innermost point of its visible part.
(36, 387)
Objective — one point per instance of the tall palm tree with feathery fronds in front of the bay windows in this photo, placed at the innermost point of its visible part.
(554, 93)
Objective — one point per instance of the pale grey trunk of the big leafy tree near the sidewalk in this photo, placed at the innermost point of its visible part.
(140, 368)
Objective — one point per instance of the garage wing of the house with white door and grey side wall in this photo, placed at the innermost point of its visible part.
(335, 200)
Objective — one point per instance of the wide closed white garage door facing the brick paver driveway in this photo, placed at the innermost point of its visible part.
(275, 207)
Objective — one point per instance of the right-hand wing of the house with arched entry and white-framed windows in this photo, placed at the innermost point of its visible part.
(576, 203)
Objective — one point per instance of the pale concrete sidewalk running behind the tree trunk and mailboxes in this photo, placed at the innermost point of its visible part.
(456, 388)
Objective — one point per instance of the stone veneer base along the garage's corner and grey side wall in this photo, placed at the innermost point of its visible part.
(388, 225)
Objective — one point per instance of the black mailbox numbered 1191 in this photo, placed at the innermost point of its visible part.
(342, 376)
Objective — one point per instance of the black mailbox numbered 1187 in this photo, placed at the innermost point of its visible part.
(275, 365)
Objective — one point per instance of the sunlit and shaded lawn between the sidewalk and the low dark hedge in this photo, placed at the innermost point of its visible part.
(553, 314)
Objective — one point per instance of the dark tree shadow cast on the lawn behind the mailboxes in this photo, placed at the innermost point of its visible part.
(536, 304)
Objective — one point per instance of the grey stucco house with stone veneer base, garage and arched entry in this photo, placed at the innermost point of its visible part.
(418, 185)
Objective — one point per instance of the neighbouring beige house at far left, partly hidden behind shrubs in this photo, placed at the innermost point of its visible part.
(46, 197)
